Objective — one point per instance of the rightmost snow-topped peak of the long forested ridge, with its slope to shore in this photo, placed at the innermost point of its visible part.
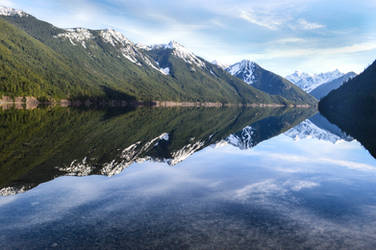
(194, 73)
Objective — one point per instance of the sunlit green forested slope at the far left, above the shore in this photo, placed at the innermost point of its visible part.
(29, 68)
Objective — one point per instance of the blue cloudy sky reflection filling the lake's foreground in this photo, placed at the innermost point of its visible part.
(283, 193)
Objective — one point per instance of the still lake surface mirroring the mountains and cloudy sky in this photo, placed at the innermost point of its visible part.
(183, 178)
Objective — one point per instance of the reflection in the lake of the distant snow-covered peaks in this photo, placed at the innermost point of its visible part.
(308, 130)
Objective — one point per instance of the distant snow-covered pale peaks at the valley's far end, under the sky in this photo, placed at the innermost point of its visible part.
(309, 82)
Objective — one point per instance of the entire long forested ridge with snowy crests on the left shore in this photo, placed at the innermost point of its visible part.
(81, 63)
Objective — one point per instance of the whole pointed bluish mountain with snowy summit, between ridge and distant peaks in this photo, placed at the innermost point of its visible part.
(273, 84)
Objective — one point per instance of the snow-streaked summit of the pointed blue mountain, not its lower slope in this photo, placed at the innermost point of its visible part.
(244, 70)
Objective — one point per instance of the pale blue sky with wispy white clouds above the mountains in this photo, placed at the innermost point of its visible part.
(281, 35)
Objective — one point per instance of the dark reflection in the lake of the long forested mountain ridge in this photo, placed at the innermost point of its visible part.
(39, 145)
